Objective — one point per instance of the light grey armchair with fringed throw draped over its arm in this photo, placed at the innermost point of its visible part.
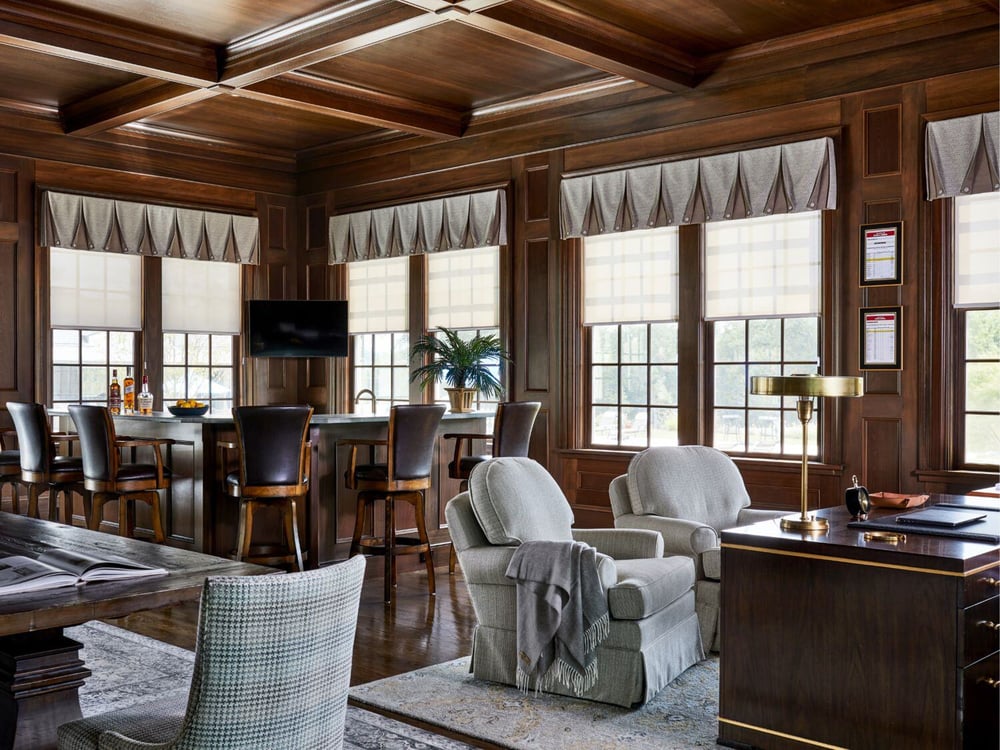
(654, 632)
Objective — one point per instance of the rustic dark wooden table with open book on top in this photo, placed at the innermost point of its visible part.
(40, 668)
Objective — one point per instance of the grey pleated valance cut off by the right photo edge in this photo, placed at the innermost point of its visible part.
(961, 156)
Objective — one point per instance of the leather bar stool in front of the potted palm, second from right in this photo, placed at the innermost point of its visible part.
(404, 477)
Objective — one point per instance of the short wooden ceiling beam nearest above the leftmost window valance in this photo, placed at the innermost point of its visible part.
(137, 100)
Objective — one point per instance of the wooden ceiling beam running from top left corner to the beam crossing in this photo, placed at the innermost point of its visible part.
(132, 49)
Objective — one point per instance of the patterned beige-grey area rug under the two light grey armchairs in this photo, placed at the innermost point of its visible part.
(683, 715)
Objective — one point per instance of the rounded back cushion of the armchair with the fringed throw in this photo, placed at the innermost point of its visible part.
(515, 500)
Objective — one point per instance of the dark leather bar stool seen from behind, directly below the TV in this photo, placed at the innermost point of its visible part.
(274, 472)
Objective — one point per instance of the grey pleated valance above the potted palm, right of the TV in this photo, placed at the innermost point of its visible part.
(456, 222)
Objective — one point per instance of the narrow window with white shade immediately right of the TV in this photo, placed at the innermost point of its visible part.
(378, 322)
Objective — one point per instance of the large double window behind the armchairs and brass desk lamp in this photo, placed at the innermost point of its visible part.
(759, 315)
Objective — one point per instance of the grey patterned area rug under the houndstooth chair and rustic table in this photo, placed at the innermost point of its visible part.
(131, 669)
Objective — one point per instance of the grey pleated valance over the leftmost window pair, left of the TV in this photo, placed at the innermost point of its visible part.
(84, 222)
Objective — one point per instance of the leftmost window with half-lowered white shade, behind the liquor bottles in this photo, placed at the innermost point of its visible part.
(95, 311)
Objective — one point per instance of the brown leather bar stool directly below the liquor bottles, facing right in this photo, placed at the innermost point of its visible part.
(108, 479)
